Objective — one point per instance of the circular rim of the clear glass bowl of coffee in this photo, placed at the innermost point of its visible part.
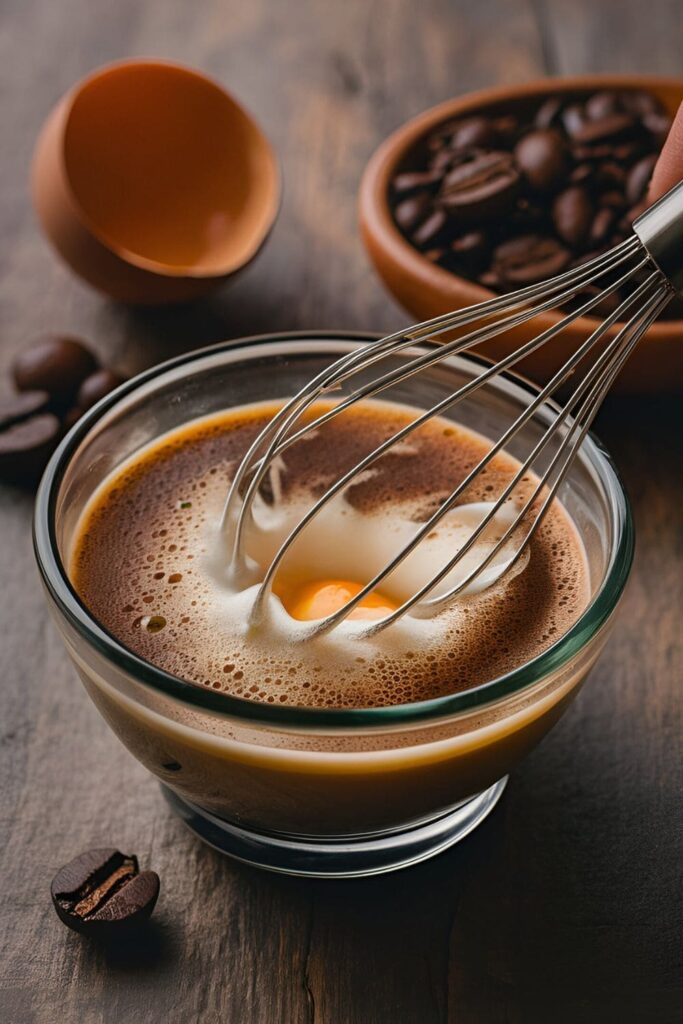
(67, 601)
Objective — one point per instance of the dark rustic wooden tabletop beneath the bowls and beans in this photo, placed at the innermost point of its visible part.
(566, 906)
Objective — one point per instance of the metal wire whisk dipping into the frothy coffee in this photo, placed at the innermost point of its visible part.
(654, 255)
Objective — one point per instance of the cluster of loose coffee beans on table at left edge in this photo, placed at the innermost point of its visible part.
(57, 379)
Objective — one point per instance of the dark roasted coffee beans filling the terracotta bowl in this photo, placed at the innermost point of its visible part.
(510, 199)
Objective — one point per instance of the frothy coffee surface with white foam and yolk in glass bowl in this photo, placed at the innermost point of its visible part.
(150, 563)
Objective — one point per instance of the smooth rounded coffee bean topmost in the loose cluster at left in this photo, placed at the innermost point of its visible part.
(57, 365)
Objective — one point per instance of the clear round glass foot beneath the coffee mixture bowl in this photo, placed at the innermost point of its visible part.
(344, 857)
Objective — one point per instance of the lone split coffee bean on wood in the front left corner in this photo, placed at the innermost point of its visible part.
(104, 892)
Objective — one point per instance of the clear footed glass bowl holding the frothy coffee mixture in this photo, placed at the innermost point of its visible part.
(329, 793)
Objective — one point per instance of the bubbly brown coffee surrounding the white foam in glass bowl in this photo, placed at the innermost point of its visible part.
(139, 564)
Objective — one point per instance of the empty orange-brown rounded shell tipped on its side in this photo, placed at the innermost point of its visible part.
(153, 184)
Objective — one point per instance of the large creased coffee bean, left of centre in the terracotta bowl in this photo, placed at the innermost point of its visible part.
(483, 188)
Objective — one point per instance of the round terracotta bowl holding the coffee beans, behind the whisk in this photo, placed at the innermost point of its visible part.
(426, 290)
